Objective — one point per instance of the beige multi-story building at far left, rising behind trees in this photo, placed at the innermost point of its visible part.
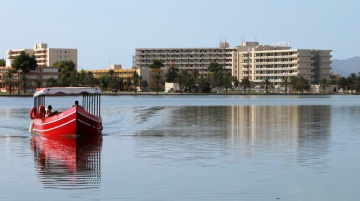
(44, 56)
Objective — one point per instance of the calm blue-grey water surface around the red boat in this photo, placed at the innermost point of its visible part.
(189, 148)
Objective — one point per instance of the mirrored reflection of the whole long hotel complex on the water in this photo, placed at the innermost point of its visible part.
(291, 132)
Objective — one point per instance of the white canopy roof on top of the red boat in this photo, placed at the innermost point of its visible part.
(66, 91)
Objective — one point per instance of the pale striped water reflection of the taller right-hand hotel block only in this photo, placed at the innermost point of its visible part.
(306, 129)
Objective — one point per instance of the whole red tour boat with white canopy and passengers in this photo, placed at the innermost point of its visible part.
(81, 119)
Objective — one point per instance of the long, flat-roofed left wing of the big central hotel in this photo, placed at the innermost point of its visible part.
(186, 58)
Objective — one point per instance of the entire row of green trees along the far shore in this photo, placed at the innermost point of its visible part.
(217, 78)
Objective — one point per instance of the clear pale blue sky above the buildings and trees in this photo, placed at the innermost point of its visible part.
(108, 31)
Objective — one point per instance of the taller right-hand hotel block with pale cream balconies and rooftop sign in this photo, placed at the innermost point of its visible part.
(277, 63)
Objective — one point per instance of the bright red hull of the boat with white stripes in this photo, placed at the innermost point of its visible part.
(74, 121)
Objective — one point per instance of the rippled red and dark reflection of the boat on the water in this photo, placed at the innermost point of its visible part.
(68, 163)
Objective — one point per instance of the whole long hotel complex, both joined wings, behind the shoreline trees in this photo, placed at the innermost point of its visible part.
(258, 62)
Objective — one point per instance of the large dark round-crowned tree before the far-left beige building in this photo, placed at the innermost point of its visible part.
(24, 62)
